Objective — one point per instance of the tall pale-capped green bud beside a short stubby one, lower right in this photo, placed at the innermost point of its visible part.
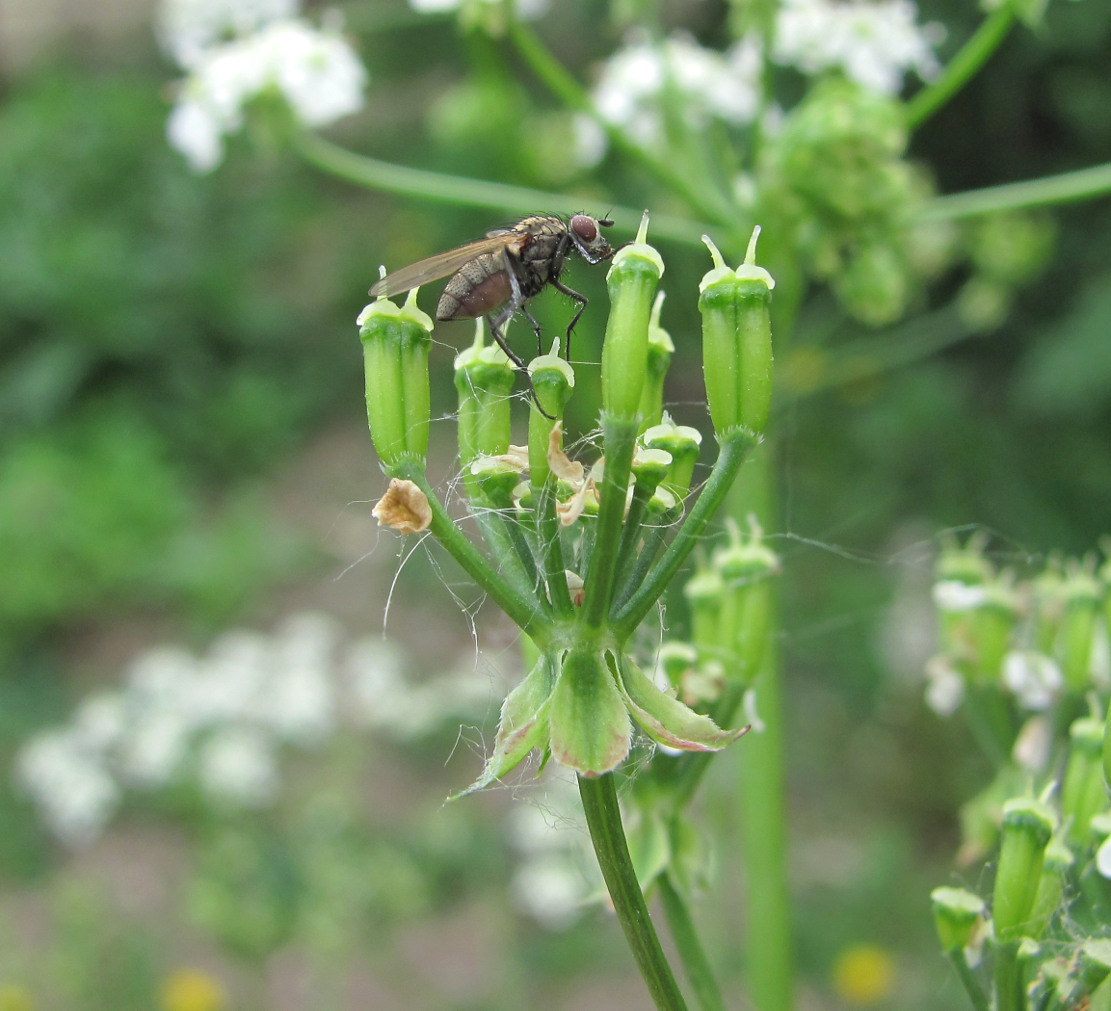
(1028, 827)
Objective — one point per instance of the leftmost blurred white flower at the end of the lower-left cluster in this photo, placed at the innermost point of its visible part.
(75, 794)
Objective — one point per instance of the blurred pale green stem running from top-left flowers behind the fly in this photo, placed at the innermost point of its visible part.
(376, 175)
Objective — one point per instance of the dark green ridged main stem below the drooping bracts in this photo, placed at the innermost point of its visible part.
(604, 820)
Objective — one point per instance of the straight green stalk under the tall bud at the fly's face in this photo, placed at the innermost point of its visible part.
(620, 441)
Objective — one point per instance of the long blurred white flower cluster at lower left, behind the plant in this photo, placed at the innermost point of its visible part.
(221, 722)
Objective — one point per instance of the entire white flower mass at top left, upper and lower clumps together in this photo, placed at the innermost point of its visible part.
(236, 52)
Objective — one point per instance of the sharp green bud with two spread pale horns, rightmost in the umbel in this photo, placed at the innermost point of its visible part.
(737, 354)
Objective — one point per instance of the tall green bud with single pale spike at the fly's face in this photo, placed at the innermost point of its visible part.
(633, 278)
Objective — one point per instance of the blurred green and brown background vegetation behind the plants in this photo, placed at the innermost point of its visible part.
(183, 442)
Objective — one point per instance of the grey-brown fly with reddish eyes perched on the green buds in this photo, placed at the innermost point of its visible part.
(495, 277)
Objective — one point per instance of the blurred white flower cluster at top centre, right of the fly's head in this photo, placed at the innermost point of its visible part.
(635, 81)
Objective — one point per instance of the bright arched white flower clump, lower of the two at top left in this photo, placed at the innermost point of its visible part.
(316, 72)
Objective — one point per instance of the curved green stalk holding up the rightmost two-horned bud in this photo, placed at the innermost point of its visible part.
(735, 449)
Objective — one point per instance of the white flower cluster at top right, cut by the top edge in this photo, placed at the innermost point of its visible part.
(875, 43)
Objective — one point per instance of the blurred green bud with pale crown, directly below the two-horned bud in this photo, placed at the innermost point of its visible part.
(746, 567)
